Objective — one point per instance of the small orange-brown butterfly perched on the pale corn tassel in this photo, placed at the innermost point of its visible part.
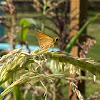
(46, 41)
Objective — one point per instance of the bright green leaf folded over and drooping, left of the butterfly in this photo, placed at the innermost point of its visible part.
(25, 24)
